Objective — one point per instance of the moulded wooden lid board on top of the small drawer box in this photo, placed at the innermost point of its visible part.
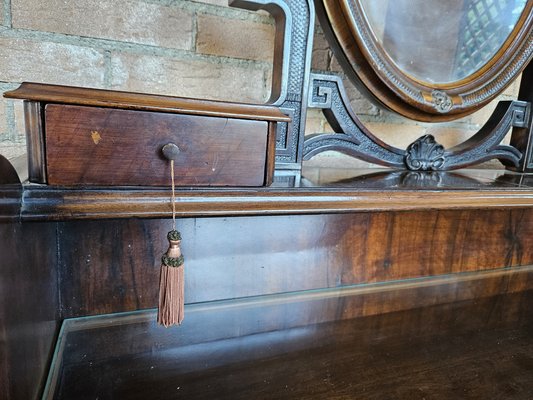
(147, 102)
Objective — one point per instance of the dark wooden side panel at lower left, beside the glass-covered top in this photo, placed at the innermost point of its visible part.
(28, 307)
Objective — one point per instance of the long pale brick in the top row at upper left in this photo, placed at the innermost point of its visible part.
(124, 20)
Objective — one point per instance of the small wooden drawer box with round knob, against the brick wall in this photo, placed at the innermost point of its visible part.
(80, 136)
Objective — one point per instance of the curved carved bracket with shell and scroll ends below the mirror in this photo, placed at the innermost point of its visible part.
(353, 138)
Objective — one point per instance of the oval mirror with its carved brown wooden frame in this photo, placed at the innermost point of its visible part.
(430, 60)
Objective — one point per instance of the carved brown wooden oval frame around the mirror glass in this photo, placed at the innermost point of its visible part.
(367, 64)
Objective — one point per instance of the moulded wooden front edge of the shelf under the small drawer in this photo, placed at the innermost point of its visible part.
(50, 203)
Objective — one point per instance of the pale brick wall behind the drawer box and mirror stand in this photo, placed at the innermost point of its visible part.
(179, 47)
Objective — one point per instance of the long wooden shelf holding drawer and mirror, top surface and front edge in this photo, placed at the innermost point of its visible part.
(318, 191)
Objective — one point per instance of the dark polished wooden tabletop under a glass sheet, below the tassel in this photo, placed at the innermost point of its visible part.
(307, 352)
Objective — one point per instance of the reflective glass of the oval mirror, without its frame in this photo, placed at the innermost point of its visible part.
(441, 41)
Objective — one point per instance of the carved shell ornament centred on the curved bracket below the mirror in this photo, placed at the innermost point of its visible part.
(425, 154)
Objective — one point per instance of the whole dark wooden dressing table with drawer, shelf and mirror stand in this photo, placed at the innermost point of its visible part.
(327, 284)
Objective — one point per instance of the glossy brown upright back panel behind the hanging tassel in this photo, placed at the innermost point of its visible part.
(247, 256)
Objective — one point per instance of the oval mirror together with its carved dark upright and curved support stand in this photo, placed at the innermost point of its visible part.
(369, 41)
